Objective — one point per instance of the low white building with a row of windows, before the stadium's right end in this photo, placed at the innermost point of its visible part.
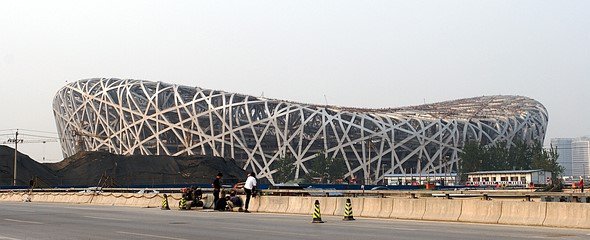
(510, 178)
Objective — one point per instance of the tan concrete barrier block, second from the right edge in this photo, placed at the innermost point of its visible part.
(523, 213)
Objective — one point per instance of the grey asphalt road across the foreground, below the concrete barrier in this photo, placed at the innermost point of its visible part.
(60, 221)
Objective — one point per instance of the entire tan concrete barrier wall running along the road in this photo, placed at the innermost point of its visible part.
(552, 214)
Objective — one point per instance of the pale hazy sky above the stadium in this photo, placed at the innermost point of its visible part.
(372, 54)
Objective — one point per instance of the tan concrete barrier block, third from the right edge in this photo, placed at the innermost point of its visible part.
(480, 211)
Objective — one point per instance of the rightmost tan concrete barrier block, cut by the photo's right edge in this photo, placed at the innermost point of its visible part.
(575, 215)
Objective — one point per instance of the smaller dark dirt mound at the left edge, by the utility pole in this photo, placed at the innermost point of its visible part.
(27, 169)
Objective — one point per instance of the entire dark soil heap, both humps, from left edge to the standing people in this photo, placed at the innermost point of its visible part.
(111, 170)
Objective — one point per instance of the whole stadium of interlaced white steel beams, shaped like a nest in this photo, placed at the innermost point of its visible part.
(143, 117)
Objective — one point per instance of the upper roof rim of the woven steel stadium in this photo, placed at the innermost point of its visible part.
(492, 106)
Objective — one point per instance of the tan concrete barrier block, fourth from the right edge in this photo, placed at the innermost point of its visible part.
(442, 209)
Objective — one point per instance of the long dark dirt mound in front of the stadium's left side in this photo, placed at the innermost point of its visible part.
(106, 169)
